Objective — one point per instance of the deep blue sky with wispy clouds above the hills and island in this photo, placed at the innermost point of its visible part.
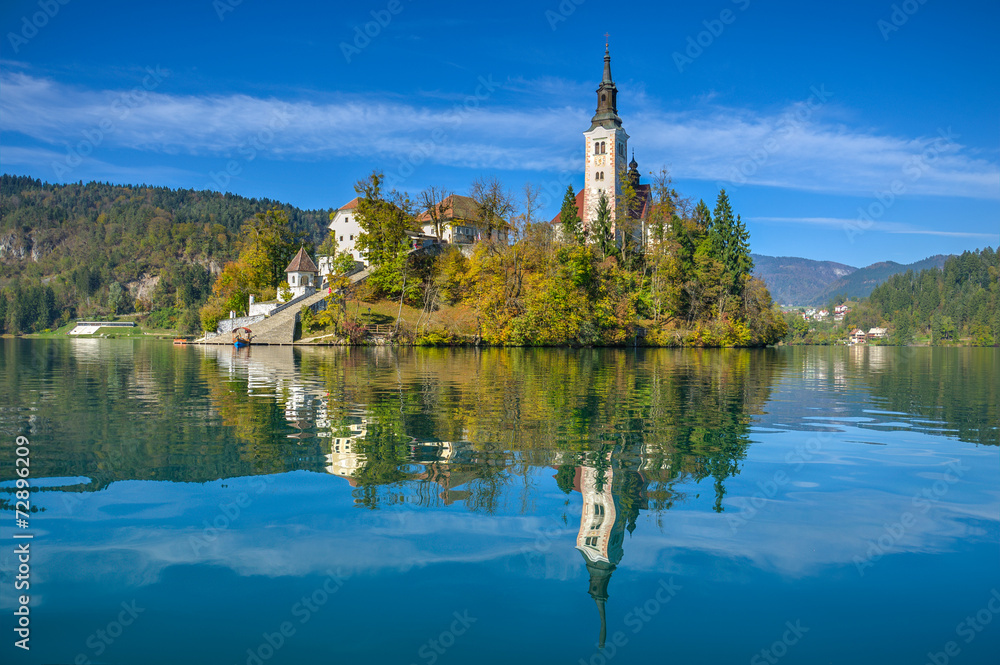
(848, 131)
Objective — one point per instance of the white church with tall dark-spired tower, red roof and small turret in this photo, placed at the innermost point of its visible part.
(606, 150)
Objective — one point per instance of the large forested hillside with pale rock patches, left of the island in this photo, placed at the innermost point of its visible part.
(96, 249)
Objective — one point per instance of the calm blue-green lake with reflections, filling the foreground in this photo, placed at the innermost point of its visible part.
(380, 505)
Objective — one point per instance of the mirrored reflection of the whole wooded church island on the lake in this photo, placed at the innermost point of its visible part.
(618, 438)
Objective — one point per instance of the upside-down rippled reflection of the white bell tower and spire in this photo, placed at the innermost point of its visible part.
(602, 530)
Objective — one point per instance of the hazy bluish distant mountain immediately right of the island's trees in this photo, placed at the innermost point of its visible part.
(795, 281)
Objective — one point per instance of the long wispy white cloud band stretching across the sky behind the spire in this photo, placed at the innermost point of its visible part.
(794, 148)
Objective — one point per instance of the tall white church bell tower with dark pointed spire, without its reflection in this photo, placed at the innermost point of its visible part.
(607, 149)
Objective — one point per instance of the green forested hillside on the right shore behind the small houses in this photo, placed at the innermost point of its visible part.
(959, 301)
